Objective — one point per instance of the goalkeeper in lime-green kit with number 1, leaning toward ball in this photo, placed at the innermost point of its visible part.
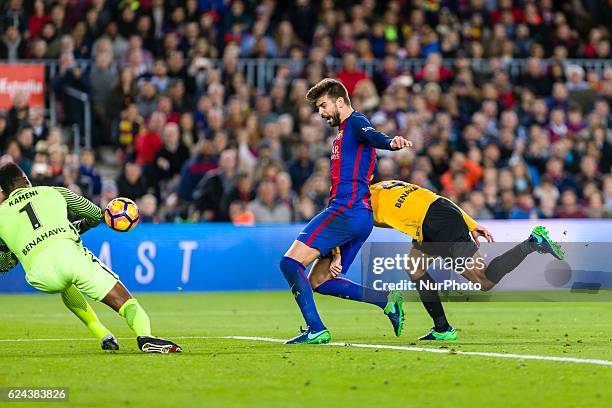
(35, 230)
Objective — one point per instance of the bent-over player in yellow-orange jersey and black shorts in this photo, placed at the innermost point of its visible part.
(440, 228)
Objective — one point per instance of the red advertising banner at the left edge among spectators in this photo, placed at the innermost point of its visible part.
(26, 78)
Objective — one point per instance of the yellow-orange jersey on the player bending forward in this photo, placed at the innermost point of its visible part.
(403, 206)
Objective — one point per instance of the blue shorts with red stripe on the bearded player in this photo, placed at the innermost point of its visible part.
(339, 227)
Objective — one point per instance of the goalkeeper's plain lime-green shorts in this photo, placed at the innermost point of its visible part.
(65, 263)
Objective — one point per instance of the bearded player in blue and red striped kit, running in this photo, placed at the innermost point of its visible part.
(348, 221)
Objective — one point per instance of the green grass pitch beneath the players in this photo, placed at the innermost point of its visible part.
(214, 372)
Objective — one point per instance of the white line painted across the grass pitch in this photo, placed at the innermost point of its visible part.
(366, 346)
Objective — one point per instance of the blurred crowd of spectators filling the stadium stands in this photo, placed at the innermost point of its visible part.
(196, 141)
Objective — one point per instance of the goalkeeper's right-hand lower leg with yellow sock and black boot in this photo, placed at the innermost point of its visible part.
(137, 319)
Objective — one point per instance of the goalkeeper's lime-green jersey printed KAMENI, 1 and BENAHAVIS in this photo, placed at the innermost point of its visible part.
(32, 218)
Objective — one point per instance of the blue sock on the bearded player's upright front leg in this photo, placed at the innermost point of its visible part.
(302, 291)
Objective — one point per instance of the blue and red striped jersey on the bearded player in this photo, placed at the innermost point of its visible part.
(353, 161)
